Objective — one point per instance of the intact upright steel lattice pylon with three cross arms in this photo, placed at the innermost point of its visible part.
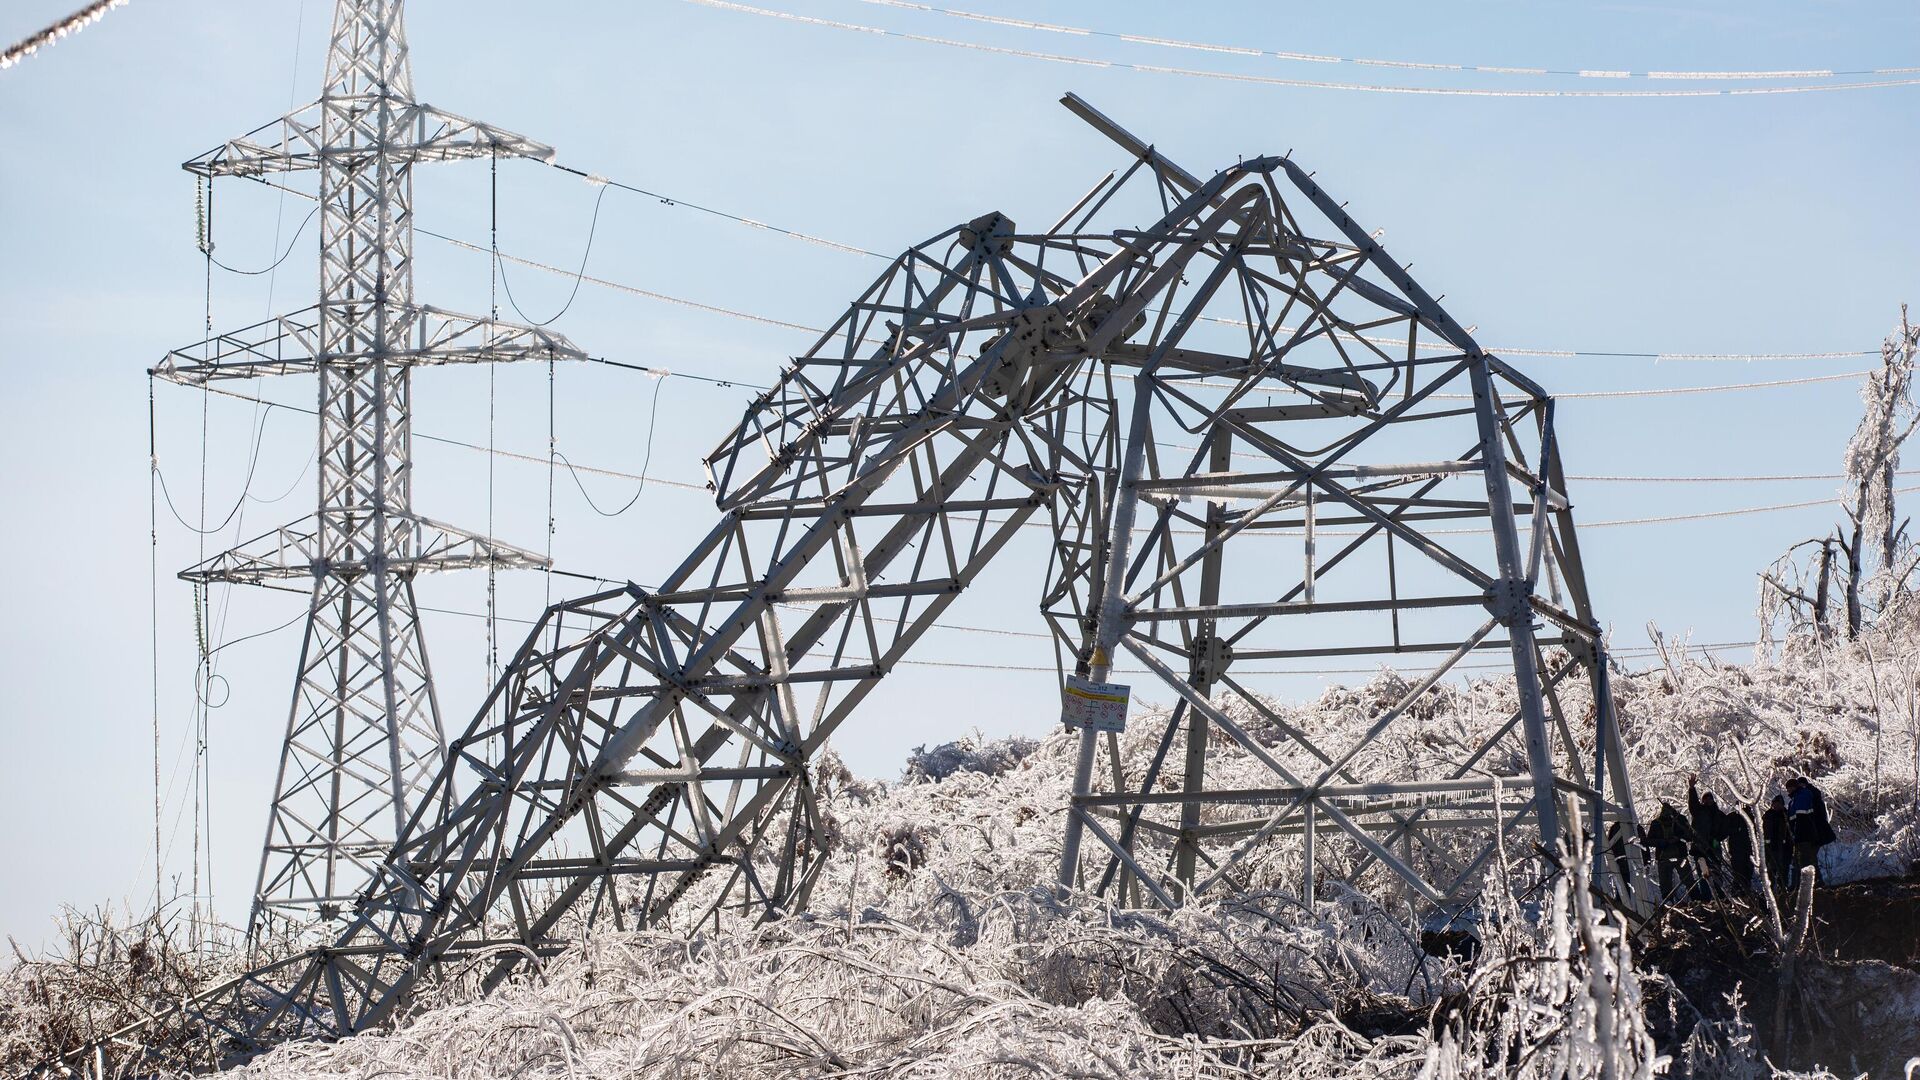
(364, 739)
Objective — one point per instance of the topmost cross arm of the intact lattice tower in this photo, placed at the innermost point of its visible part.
(418, 134)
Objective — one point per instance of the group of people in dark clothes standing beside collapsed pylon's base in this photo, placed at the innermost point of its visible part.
(1712, 848)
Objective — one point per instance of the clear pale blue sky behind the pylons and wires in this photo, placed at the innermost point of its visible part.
(1767, 224)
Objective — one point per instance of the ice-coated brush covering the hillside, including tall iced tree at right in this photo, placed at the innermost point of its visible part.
(932, 950)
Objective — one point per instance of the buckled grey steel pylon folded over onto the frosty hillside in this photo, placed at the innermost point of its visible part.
(1237, 418)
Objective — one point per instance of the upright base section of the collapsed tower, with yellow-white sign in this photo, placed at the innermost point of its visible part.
(1303, 420)
